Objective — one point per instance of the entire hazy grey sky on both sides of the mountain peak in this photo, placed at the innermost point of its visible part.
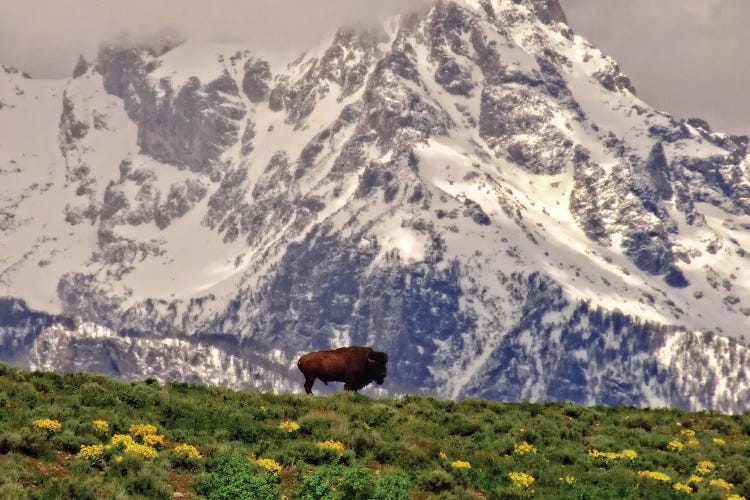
(687, 57)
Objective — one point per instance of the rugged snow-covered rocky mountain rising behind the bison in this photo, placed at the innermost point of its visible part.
(473, 188)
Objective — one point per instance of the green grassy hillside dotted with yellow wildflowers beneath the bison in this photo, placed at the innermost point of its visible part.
(88, 436)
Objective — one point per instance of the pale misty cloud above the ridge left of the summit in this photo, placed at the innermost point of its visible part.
(45, 37)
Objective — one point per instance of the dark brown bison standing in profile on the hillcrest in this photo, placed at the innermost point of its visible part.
(355, 366)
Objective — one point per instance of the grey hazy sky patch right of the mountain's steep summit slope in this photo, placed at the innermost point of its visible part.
(687, 57)
